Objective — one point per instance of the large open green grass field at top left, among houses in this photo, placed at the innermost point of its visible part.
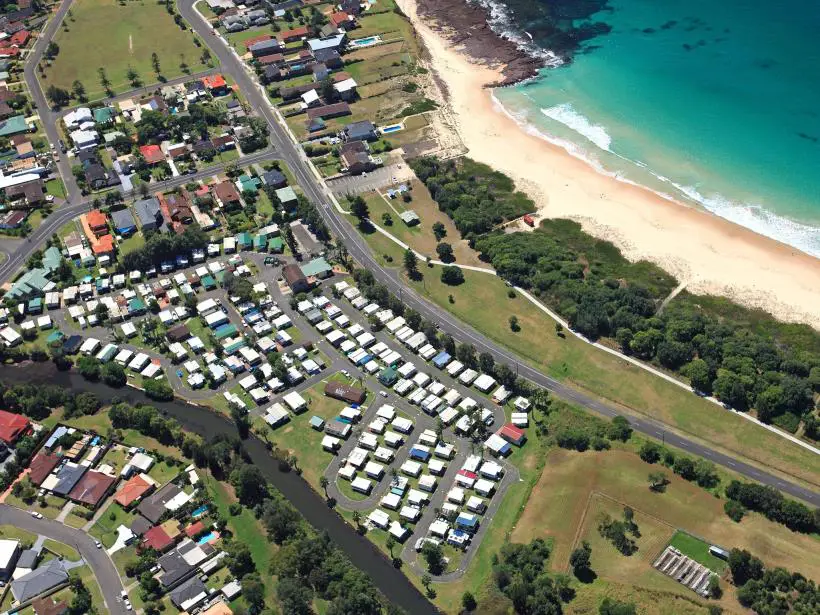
(103, 33)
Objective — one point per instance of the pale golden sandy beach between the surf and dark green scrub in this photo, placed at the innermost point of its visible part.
(711, 255)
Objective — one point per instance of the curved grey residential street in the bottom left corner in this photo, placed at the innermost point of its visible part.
(98, 560)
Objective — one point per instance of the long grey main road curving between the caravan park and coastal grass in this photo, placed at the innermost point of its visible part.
(318, 194)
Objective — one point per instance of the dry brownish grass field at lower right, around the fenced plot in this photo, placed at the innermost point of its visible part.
(561, 503)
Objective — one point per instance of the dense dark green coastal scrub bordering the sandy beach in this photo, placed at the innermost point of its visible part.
(744, 358)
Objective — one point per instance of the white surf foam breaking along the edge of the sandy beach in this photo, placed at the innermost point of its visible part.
(755, 217)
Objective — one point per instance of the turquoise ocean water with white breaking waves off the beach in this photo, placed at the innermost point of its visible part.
(715, 103)
